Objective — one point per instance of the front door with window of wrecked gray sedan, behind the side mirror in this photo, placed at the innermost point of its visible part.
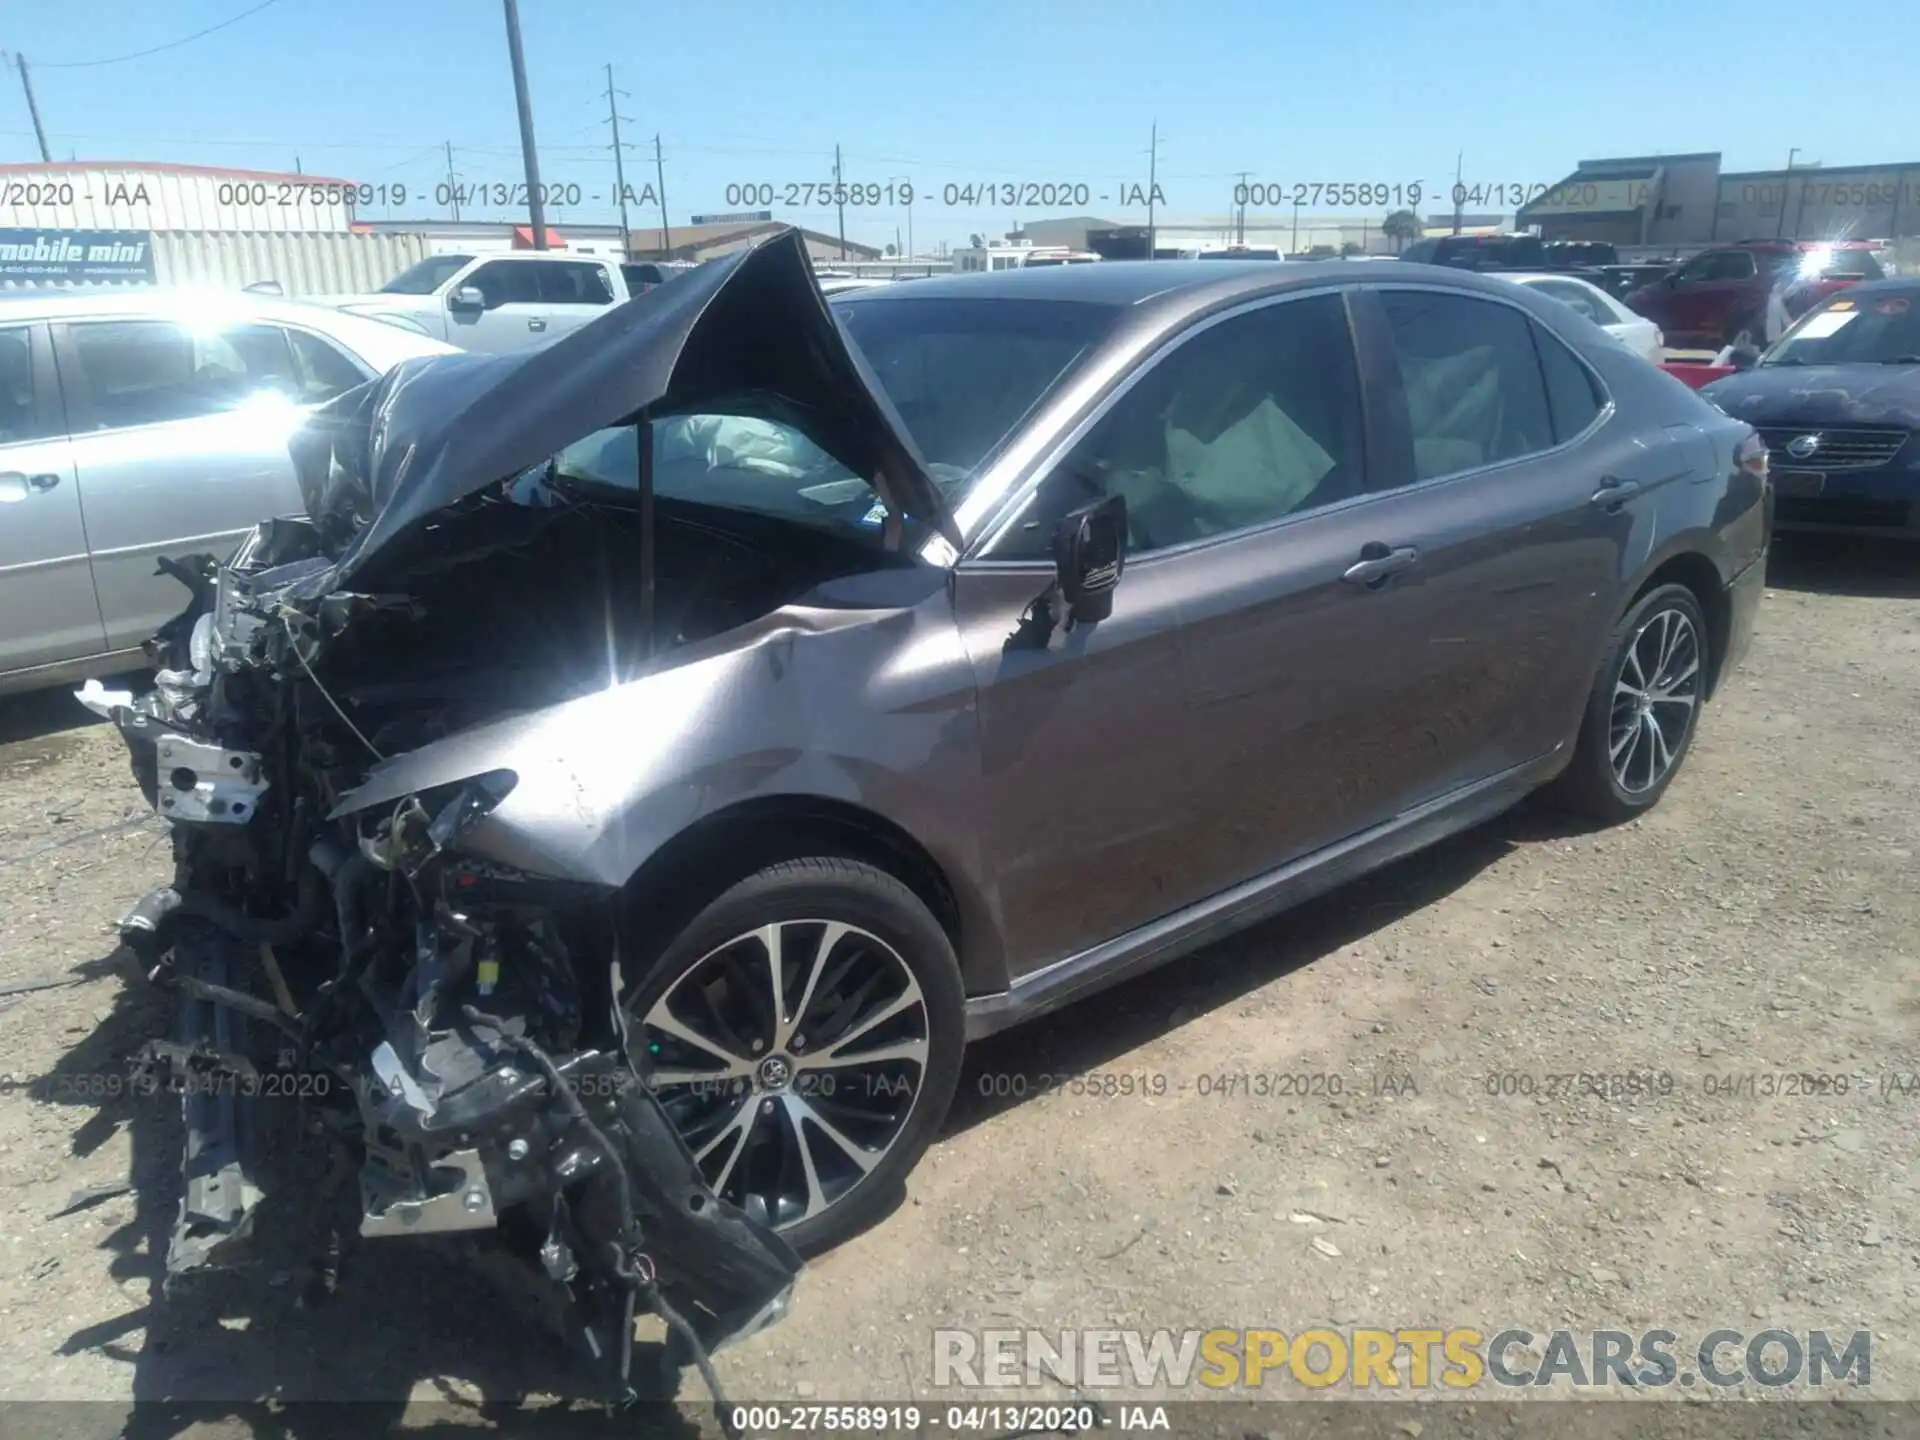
(1203, 732)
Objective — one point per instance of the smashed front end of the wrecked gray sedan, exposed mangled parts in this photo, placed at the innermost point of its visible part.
(450, 1026)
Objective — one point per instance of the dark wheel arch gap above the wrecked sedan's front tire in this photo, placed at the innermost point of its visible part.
(723, 848)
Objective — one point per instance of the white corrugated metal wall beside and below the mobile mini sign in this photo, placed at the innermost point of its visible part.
(302, 264)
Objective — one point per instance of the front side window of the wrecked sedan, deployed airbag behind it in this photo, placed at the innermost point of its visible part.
(1249, 421)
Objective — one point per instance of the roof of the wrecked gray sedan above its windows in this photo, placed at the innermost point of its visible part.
(1138, 281)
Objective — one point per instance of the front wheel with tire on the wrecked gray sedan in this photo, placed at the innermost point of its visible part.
(805, 1032)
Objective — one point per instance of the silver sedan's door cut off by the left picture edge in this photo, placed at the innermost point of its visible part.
(47, 585)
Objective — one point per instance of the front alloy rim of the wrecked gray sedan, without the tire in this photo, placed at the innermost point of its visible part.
(790, 1059)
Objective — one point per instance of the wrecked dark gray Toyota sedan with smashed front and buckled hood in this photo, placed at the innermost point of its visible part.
(721, 715)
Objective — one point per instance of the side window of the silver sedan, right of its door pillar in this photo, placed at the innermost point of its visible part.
(155, 372)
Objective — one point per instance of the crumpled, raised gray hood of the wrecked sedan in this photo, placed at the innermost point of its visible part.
(750, 333)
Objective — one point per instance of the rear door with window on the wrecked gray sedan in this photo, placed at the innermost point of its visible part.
(1524, 494)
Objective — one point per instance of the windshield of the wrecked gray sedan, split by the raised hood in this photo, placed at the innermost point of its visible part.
(963, 375)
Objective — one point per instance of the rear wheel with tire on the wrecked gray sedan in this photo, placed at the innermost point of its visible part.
(1643, 711)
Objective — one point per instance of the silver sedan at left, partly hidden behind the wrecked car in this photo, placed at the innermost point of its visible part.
(145, 425)
